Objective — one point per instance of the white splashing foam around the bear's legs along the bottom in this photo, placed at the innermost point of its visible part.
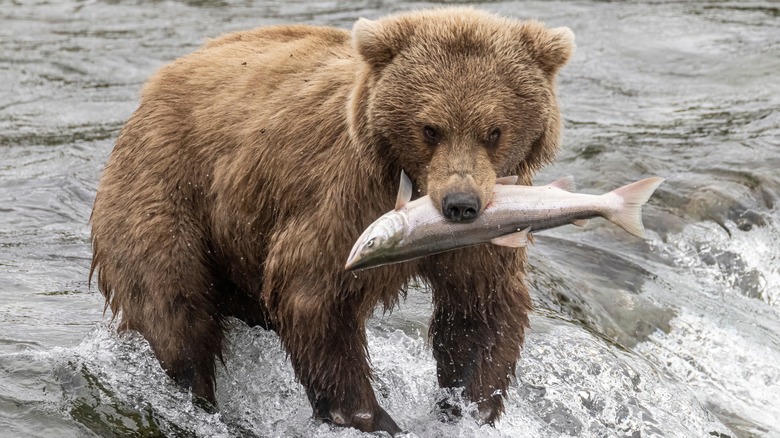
(570, 382)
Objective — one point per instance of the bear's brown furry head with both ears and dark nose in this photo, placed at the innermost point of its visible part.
(458, 97)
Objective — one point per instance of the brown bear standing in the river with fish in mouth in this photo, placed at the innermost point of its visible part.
(251, 166)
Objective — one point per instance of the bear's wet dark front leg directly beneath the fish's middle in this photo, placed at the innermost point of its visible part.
(481, 307)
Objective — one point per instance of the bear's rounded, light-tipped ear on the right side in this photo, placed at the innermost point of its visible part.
(551, 48)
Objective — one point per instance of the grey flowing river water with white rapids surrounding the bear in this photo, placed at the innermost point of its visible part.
(678, 336)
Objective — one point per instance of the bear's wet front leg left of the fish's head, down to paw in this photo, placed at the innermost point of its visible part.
(327, 345)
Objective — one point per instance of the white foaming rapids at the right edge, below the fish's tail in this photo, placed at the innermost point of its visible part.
(725, 342)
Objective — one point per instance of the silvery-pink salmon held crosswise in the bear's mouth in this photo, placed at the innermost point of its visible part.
(417, 228)
